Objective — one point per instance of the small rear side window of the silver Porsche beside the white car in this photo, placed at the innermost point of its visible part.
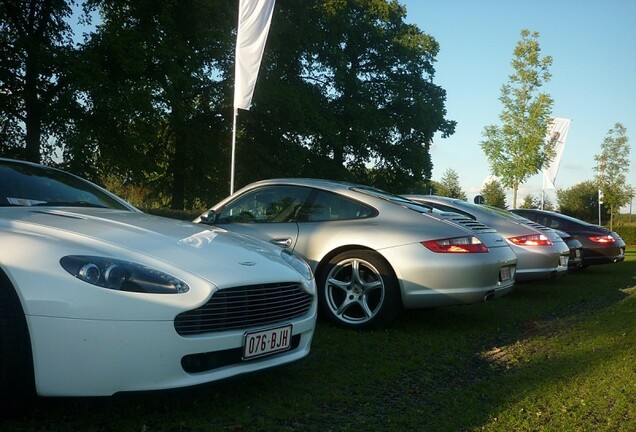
(328, 206)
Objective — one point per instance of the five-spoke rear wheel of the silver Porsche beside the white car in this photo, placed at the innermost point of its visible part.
(358, 289)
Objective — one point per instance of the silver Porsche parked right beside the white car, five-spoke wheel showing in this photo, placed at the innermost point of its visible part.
(372, 252)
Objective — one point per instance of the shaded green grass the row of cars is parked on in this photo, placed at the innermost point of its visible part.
(550, 356)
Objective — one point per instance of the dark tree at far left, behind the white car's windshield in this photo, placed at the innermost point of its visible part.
(35, 40)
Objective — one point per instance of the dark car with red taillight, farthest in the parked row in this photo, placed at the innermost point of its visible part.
(600, 245)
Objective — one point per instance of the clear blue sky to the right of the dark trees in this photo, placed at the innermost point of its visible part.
(593, 45)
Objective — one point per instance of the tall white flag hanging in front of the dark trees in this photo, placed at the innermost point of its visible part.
(255, 17)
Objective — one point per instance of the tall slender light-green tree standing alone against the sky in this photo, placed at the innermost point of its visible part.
(518, 148)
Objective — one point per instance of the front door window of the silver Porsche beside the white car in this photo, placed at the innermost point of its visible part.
(270, 204)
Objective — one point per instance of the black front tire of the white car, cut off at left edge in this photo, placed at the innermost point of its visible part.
(16, 361)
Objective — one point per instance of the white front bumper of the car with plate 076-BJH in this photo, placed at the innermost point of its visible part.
(100, 358)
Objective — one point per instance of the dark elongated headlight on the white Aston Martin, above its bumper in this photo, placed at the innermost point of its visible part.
(122, 275)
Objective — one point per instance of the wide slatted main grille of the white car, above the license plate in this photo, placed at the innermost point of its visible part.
(245, 307)
